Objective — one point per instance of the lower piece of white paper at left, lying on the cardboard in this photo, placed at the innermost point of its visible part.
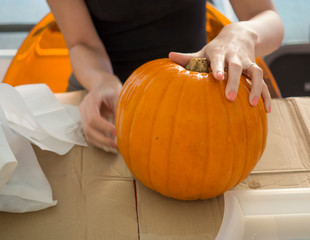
(27, 189)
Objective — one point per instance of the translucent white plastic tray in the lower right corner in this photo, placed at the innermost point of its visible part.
(273, 214)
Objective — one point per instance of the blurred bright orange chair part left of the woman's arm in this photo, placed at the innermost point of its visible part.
(42, 58)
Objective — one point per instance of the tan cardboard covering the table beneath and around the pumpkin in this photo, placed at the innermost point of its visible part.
(99, 199)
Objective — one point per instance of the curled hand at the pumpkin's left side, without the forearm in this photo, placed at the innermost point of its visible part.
(97, 113)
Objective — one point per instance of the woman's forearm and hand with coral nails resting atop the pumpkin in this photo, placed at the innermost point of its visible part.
(259, 32)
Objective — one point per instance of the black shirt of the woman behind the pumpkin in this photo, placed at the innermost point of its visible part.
(136, 31)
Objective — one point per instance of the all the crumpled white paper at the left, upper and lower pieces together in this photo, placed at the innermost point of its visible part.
(31, 113)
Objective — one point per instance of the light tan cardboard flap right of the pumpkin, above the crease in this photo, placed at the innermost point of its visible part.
(287, 147)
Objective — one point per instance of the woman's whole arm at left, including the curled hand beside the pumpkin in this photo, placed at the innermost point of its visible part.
(92, 67)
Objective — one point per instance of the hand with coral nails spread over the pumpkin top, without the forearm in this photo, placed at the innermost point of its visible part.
(234, 50)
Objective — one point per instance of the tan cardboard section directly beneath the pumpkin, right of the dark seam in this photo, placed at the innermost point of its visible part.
(169, 219)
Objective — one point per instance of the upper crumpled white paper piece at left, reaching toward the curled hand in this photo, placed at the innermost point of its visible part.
(34, 112)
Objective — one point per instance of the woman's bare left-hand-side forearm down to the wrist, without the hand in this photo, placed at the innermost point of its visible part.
(89, 60)
